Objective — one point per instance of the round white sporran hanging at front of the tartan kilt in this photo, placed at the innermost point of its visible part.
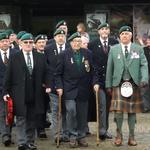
(126, 89)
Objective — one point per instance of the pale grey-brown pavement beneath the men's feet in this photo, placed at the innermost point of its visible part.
(142, 135)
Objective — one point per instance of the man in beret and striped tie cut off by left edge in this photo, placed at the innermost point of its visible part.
(5, 53)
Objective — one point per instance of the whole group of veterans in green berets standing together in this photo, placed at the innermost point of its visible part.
(36, 70)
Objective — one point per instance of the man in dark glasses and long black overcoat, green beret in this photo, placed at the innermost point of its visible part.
(25, 76)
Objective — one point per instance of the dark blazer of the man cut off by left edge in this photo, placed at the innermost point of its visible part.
(3, 68)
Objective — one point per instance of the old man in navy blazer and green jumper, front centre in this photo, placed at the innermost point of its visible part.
(73, 80)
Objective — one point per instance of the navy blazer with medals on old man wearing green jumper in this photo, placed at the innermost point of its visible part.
(75, 83)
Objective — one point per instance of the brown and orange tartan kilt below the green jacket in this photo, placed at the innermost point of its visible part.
(133, 104)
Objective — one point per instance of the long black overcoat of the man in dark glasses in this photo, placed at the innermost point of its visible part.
(16, 78)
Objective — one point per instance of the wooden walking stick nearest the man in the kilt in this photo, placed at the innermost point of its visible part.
(97, 116)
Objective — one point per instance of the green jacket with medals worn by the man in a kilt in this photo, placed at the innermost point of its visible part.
(136, 64)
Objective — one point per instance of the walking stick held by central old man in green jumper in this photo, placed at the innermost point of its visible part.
(59, 120)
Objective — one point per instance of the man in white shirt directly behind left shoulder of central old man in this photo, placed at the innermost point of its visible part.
(52, 52)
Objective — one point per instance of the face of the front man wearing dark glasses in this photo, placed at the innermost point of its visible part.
(27, 45)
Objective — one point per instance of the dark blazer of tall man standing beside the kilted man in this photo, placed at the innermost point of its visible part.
(100, 59)
